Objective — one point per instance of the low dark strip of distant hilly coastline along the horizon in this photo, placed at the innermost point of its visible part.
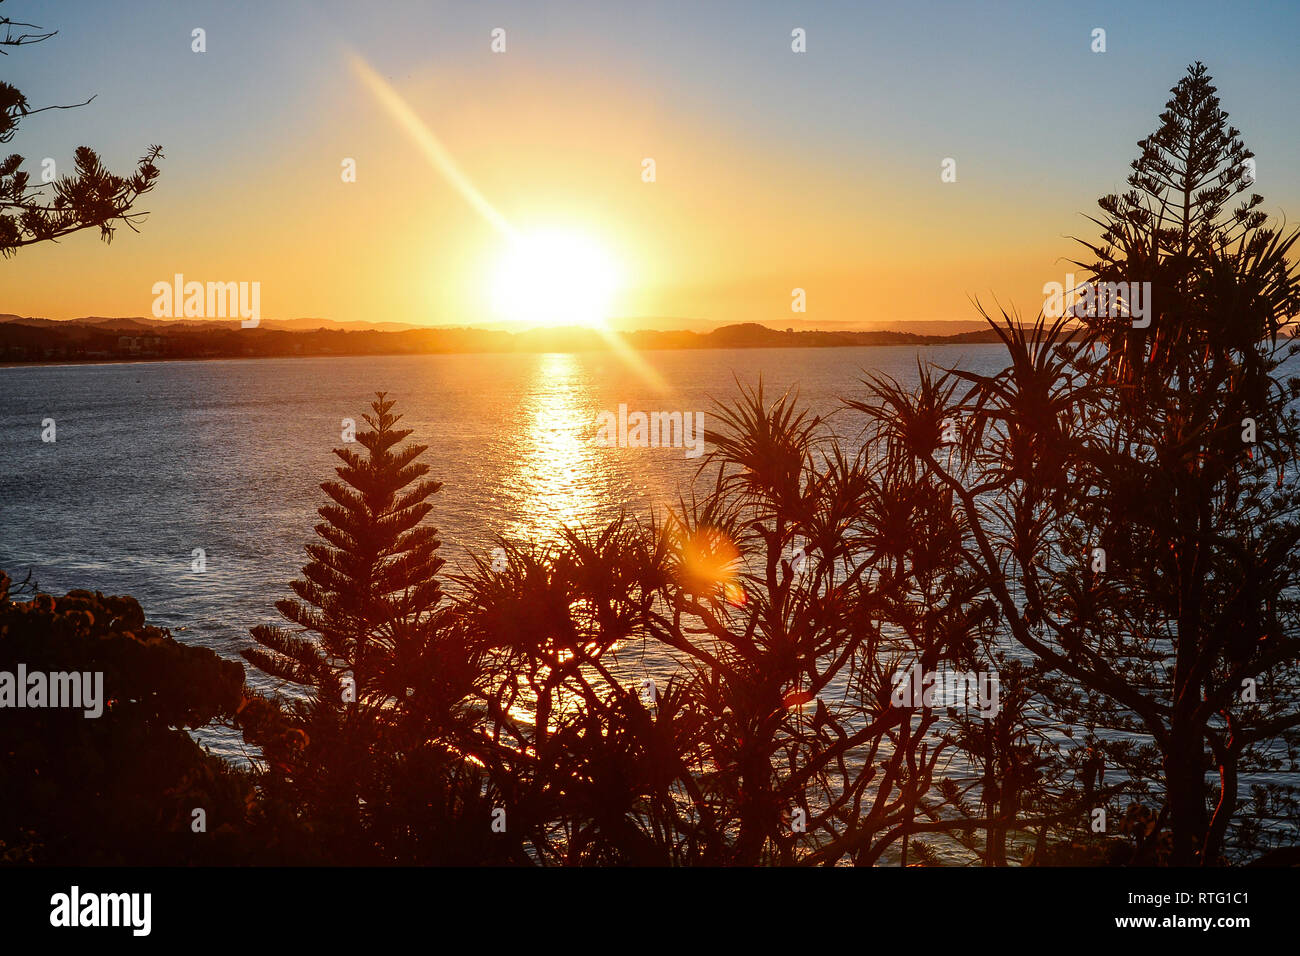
(101, 341)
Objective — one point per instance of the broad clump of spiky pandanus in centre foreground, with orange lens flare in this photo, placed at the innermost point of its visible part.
(774, 737)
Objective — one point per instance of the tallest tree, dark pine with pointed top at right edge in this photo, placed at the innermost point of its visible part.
(1207, 418)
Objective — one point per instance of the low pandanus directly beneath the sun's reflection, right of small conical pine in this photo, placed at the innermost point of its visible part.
(591, 767)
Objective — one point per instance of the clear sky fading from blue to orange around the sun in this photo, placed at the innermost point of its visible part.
(774, 170)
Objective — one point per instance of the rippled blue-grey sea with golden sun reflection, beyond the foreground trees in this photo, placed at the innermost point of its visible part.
(153, 461)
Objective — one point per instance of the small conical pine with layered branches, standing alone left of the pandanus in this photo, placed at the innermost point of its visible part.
(379, 684)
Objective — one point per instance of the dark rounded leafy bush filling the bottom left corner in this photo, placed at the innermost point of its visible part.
(119, 789)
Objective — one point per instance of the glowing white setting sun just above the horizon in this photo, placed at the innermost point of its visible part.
(556, 279)
